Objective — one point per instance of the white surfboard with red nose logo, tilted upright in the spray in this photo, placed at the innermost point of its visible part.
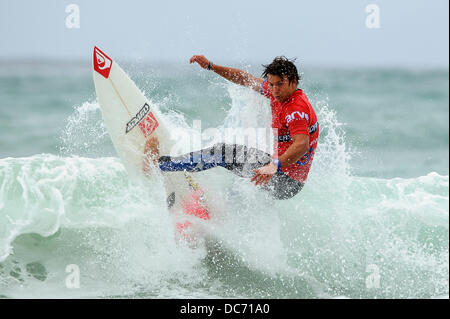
(130, 119)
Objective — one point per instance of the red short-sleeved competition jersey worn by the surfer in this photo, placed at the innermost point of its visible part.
(295, 116)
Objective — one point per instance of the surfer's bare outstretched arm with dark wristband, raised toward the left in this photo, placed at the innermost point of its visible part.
(231, 74)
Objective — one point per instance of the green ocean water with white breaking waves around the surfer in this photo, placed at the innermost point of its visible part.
(372, 221)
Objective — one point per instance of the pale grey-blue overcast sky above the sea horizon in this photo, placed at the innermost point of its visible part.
(320, 32)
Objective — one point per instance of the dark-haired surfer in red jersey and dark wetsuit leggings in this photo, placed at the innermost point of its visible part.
(294, 125)
